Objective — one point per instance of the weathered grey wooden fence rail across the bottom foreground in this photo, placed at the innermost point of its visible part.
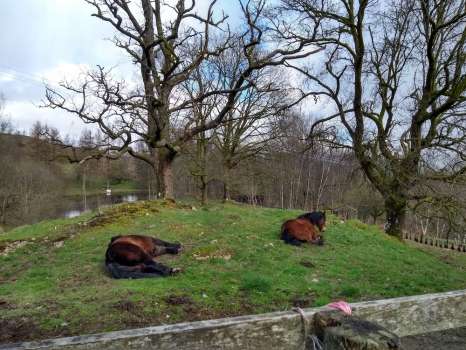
(279, 330)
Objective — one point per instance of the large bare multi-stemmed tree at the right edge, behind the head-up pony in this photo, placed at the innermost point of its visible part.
(394, 74)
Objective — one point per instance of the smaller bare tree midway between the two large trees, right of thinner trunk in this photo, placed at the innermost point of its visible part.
(253, 121)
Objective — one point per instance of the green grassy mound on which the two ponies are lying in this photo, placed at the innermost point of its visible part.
(233, 264)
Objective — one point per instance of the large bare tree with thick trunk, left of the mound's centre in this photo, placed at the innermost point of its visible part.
(166, 53)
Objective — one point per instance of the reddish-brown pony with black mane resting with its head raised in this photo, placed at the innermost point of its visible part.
(306, 228)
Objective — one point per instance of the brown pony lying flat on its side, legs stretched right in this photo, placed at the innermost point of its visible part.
(132, 256)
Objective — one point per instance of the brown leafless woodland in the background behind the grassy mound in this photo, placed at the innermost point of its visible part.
(284, 172)
